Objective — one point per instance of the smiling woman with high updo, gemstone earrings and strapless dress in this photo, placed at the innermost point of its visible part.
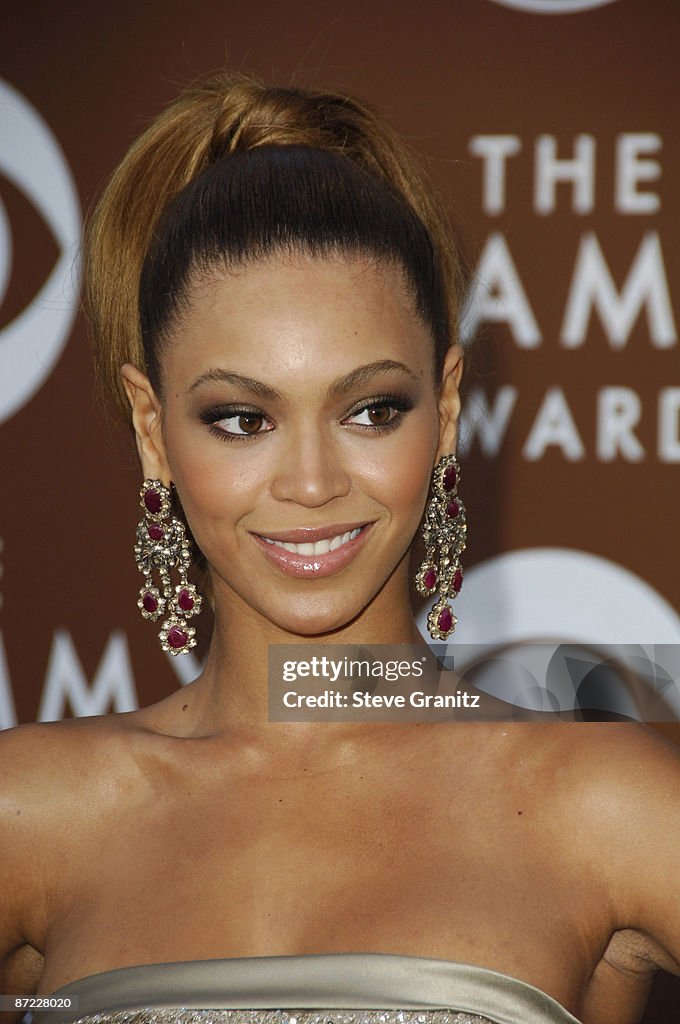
(295, 378)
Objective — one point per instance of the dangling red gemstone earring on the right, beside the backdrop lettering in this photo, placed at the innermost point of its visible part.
(445, 531)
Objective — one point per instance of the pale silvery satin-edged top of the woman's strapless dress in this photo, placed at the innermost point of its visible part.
(325, 989)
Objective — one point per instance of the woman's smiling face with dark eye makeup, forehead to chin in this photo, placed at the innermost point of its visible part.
(301, 424)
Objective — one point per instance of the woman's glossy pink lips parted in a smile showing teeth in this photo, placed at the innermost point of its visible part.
(315, 551)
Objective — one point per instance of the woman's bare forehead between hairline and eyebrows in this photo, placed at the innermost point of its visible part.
(302, 317)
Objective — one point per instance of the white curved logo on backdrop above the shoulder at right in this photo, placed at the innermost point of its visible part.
(549, 603)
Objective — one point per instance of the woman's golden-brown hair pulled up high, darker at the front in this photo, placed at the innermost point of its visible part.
(235, 173)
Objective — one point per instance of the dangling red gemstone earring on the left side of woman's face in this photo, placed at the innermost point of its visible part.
(162, 546)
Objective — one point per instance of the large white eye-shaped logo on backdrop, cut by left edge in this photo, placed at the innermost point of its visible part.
(32, 159)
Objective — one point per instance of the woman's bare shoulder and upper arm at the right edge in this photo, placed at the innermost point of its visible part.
(620, 800)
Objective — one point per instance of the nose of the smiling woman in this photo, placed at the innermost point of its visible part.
(311, 473)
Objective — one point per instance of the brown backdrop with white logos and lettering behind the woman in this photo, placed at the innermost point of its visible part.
(552, 135)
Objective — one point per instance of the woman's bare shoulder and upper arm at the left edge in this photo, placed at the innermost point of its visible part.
(58, 781)
